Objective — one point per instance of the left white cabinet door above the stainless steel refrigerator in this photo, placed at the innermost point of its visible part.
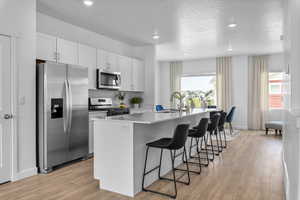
(46, 47)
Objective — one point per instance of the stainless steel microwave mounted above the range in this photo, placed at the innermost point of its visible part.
(108, 80)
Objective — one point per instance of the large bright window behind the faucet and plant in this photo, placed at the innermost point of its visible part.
(198, 86)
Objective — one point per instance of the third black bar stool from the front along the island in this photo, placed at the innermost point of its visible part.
(213, 130)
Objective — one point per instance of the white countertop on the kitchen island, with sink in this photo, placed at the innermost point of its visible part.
(154, 117)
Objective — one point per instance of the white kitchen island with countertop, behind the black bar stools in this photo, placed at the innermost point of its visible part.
(120, 144)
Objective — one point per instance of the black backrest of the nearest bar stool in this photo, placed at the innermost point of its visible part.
(179, 137)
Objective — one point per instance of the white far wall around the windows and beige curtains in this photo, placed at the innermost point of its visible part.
(240, 82)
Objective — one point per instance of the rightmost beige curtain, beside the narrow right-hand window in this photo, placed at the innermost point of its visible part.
(258, 92)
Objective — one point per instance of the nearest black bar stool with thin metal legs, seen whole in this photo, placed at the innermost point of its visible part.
(171, 144)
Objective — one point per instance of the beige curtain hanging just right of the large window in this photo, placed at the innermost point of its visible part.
(224, 82)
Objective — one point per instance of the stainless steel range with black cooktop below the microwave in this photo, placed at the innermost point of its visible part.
(105, 104)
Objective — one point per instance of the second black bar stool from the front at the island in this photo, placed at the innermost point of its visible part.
(198, 133)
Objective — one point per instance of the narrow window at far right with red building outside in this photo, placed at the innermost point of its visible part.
(275, 90)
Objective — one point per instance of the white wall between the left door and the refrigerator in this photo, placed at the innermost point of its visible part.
(18, 19)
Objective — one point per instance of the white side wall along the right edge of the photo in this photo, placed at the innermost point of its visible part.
(291, 136)
